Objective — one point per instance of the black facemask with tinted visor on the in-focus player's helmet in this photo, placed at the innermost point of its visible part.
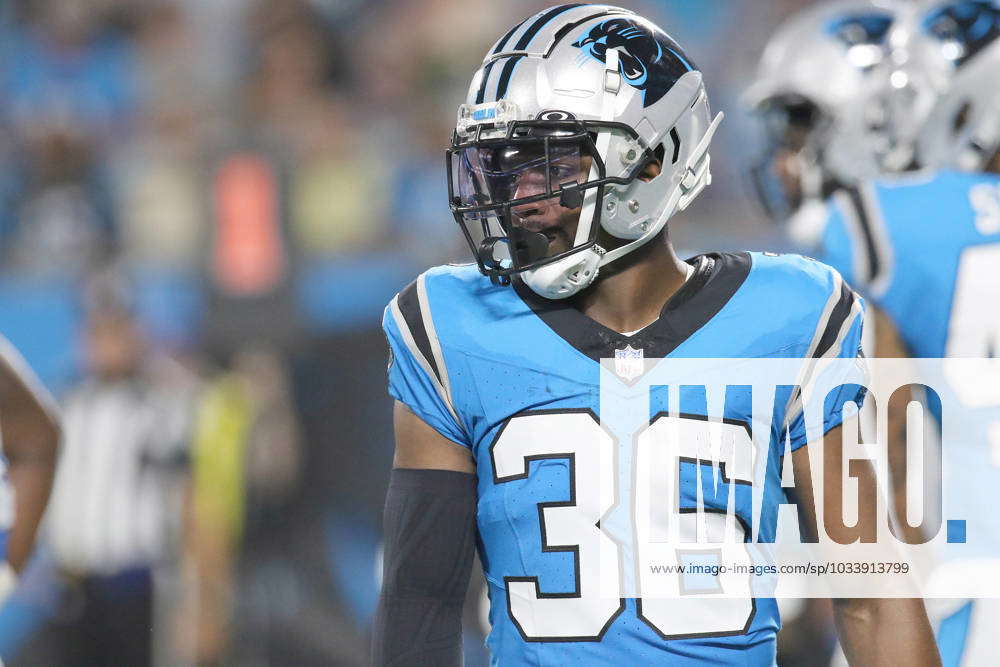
(483, 193)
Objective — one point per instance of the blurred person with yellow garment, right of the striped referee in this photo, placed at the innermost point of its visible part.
(254, 595)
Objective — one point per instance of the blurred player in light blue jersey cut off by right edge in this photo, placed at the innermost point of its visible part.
(925, 249)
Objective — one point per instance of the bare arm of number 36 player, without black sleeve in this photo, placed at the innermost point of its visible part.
(874, 632)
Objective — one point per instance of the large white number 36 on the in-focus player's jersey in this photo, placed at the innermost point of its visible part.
(586, 612)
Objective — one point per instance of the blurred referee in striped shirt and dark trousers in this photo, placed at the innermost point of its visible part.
(115, 506)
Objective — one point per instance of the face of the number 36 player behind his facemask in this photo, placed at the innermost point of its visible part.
(557, 222)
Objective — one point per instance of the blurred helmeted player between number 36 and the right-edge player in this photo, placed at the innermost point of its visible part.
(829, 125)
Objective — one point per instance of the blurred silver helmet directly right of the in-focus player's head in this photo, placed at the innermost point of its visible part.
(813, 80)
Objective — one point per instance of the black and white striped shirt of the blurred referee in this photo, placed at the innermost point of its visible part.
(115, 500)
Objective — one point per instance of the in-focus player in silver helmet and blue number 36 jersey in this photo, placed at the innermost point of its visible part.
(584, 131)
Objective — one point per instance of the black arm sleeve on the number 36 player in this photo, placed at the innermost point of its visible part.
(430, 537)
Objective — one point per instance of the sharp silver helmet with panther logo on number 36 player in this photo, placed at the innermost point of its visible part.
(573, 82)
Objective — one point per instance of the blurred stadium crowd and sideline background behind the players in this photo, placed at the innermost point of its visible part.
(256, 179)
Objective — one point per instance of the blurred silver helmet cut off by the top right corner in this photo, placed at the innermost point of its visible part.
(951, 48)
